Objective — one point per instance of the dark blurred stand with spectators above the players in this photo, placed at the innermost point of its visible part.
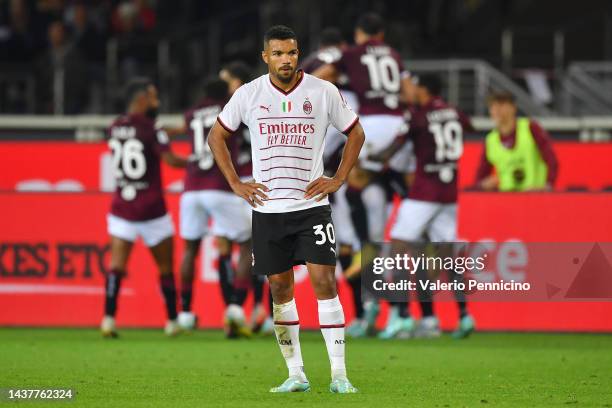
(72, 56)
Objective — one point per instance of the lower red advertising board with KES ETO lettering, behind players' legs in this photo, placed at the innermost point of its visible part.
(53, 251)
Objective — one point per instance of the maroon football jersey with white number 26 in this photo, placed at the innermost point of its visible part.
(136, 151)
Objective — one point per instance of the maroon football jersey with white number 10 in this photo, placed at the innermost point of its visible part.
(374, 71)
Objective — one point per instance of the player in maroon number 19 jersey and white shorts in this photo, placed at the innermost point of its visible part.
(436, 130)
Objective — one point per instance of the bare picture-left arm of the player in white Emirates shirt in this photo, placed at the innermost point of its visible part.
(253, 193)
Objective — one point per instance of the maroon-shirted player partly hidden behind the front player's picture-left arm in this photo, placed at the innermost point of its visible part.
(207, 196)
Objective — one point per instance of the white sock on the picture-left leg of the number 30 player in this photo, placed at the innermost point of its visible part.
(287, 330)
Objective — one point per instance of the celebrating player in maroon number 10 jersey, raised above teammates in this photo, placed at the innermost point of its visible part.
(376, 74)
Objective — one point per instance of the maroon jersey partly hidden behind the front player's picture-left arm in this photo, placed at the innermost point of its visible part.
(203, 173)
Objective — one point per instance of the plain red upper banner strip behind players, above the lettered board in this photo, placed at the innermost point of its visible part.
(85, 166)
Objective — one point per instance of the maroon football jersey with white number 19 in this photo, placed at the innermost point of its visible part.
(437, 133)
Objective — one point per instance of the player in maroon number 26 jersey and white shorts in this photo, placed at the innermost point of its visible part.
(138, 207)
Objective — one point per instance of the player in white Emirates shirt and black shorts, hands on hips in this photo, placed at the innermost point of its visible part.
(288, 112)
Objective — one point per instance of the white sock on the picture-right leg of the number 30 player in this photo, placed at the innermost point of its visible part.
(331, 320)
